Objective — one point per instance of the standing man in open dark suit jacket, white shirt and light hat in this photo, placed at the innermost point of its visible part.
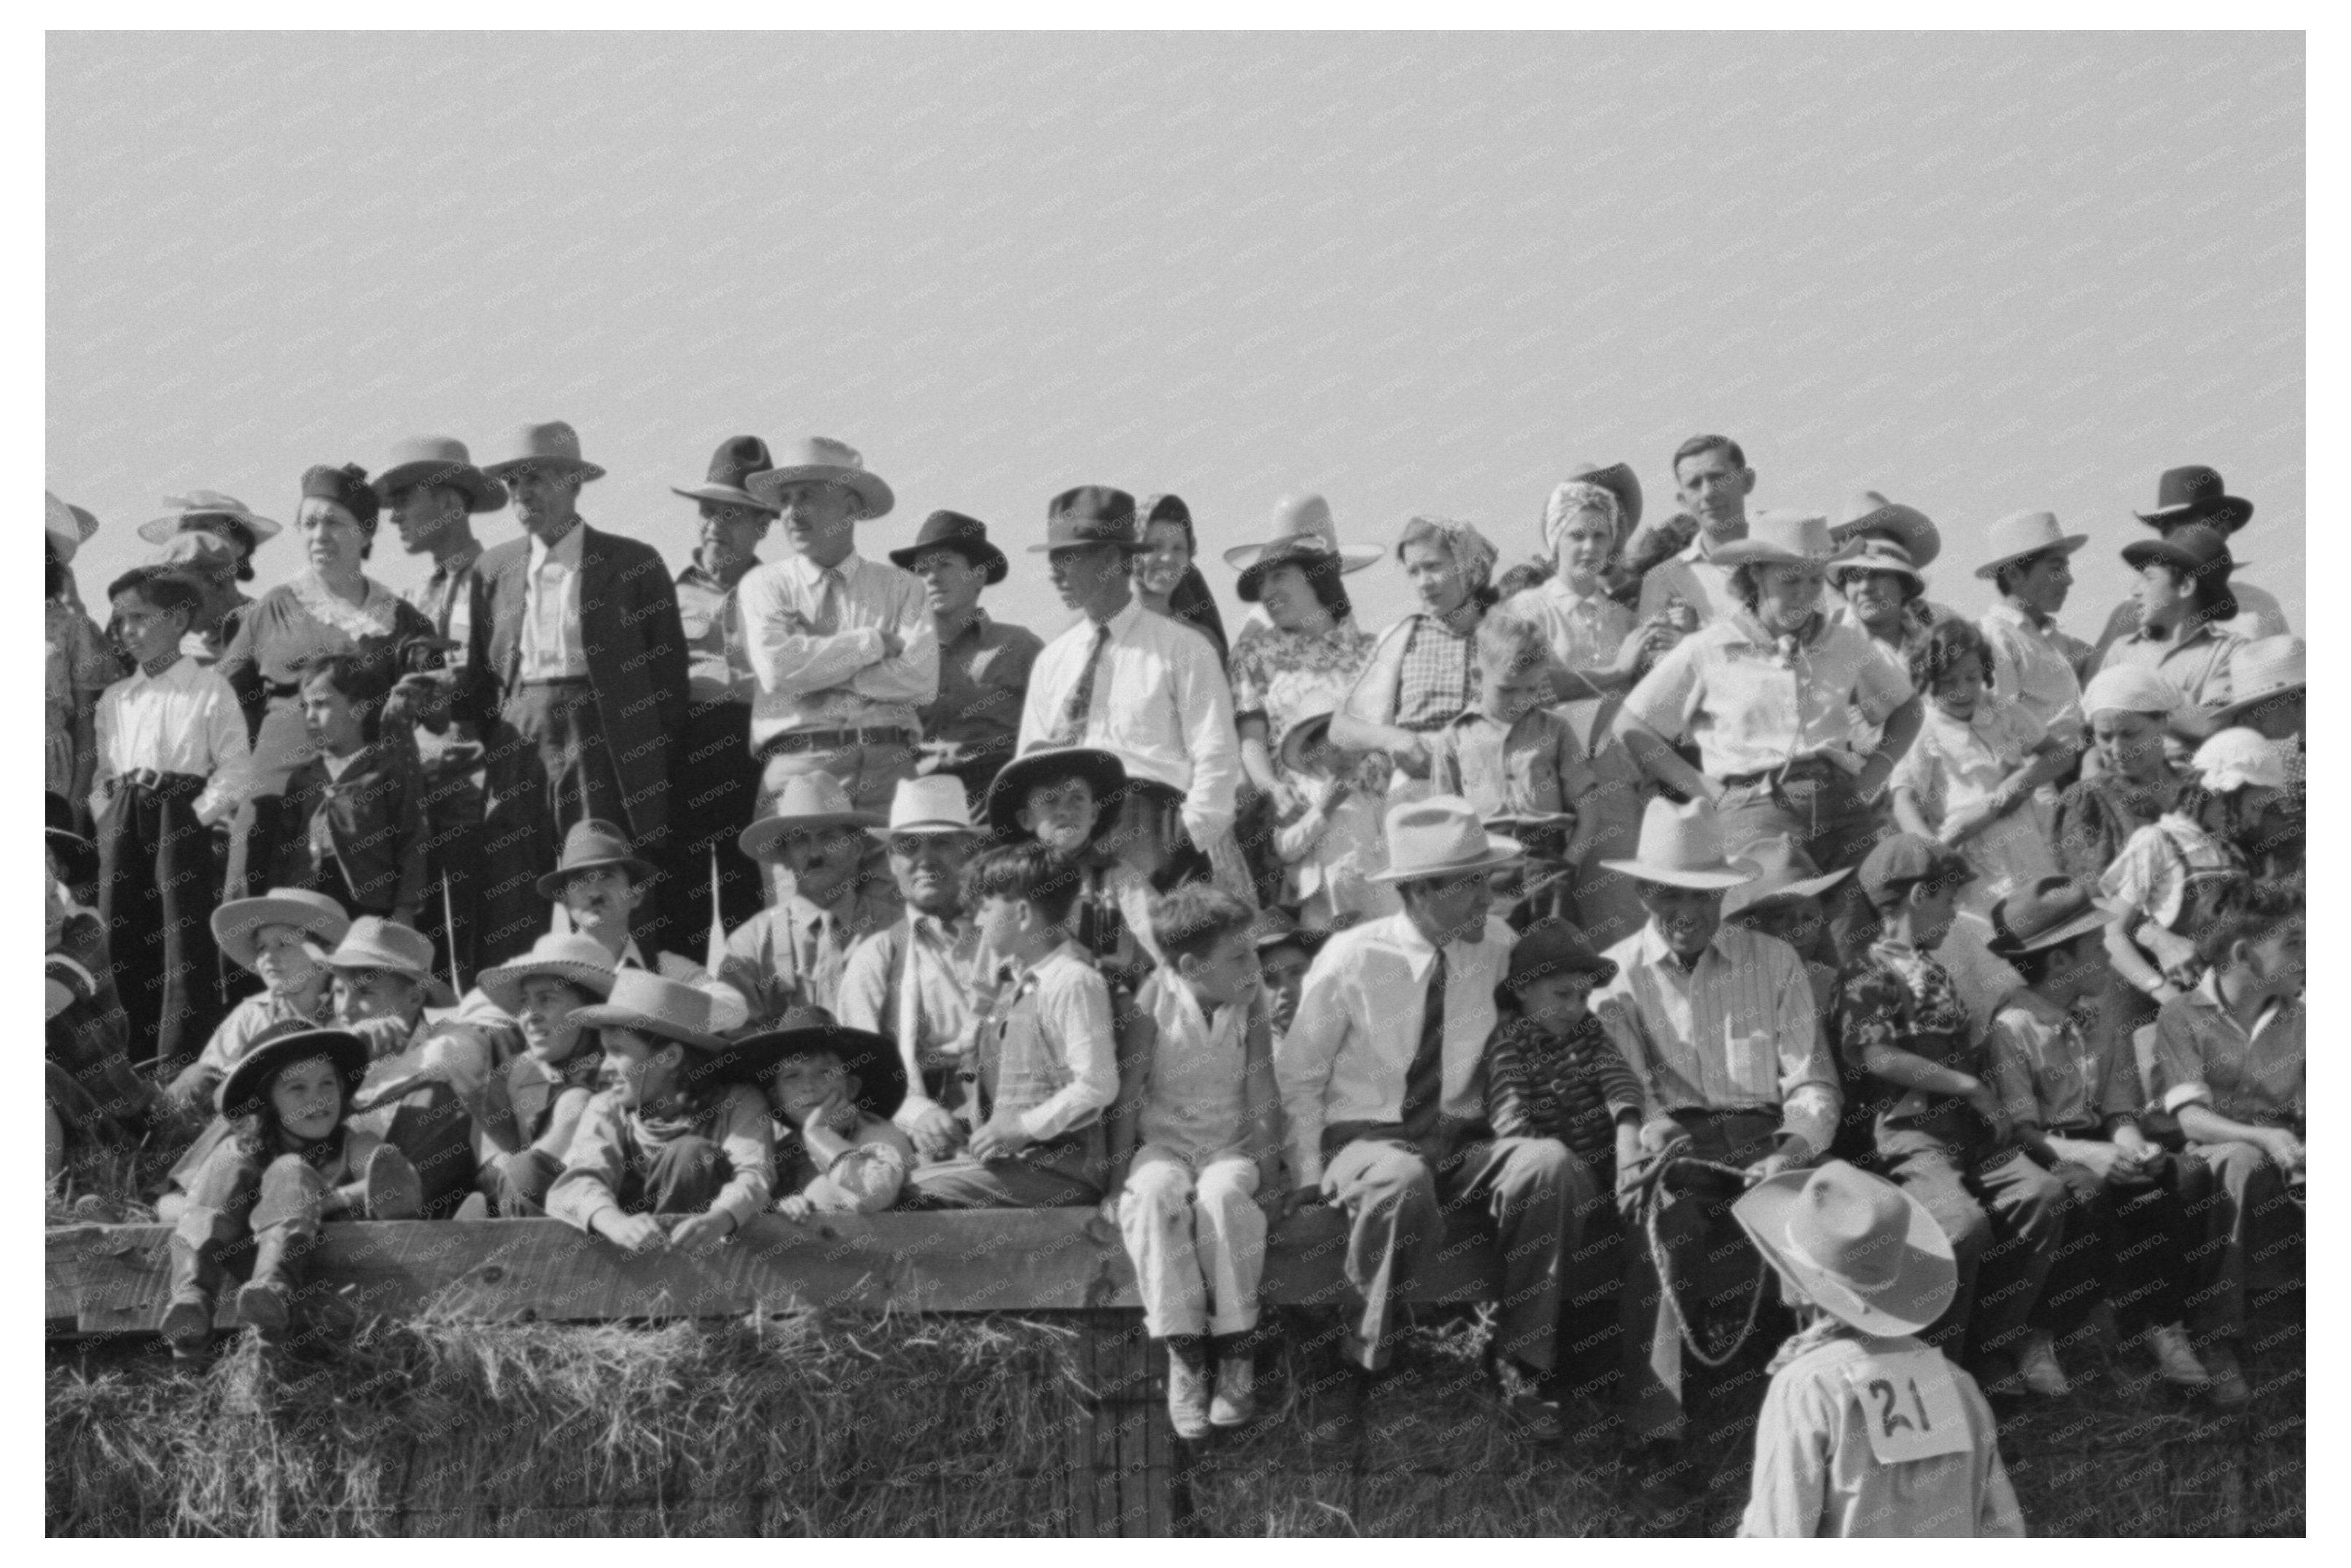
(591, 666)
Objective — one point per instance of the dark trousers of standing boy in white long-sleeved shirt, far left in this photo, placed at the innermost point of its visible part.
(159, 883)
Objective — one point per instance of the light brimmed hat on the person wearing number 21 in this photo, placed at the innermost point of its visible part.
(1863, 1249)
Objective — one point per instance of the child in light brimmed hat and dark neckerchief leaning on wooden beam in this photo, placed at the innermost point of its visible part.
(676, 1153)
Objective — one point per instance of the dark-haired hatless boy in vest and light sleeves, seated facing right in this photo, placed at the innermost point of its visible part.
(1047, 1064)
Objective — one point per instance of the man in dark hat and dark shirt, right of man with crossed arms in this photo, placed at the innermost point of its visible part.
(984, 666)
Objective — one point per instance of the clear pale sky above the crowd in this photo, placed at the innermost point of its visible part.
(1421, 274)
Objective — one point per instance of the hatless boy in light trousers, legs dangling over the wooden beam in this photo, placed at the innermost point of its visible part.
(1198, 1132)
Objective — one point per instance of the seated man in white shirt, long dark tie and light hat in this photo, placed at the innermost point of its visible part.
(1384, 1083)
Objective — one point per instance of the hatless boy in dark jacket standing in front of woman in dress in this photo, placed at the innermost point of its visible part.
(354, 812)
